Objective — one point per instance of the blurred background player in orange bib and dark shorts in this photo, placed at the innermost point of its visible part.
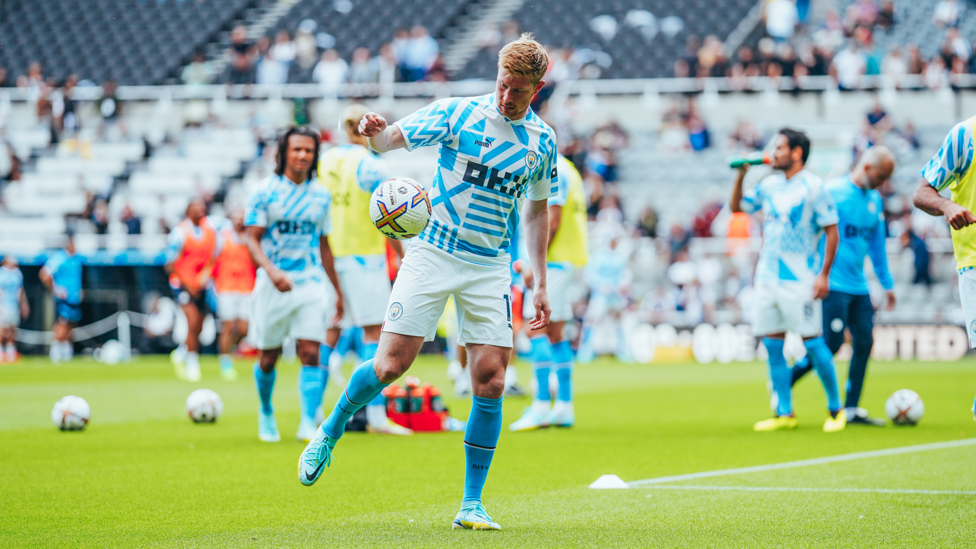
(191, 249)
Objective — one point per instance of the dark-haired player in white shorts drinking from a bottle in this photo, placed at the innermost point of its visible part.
(797, 209)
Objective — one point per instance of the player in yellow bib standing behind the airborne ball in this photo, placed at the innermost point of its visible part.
(352, 172)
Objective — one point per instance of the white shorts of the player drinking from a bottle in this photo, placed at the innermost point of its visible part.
(786, 307)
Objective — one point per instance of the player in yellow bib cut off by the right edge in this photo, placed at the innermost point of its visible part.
(952, 167)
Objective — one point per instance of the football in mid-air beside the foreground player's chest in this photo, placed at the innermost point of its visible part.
(400, 208)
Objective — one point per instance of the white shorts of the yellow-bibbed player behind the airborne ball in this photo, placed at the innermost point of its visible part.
(365, 290)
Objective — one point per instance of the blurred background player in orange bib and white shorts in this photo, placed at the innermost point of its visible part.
(234, 274)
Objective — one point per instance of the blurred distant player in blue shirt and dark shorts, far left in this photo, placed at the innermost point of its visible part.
(62, 277)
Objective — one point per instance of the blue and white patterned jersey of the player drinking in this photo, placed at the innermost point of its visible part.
(795, 211)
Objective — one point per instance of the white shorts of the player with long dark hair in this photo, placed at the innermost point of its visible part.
(298, 313)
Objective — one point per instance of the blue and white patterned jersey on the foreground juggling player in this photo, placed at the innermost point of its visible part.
(488, 165)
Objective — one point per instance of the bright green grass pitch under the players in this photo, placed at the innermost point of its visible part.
(143, 475)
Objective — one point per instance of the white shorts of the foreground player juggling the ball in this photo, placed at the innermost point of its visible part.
(482, 295)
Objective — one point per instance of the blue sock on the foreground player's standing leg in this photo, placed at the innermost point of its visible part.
(480, 439)
